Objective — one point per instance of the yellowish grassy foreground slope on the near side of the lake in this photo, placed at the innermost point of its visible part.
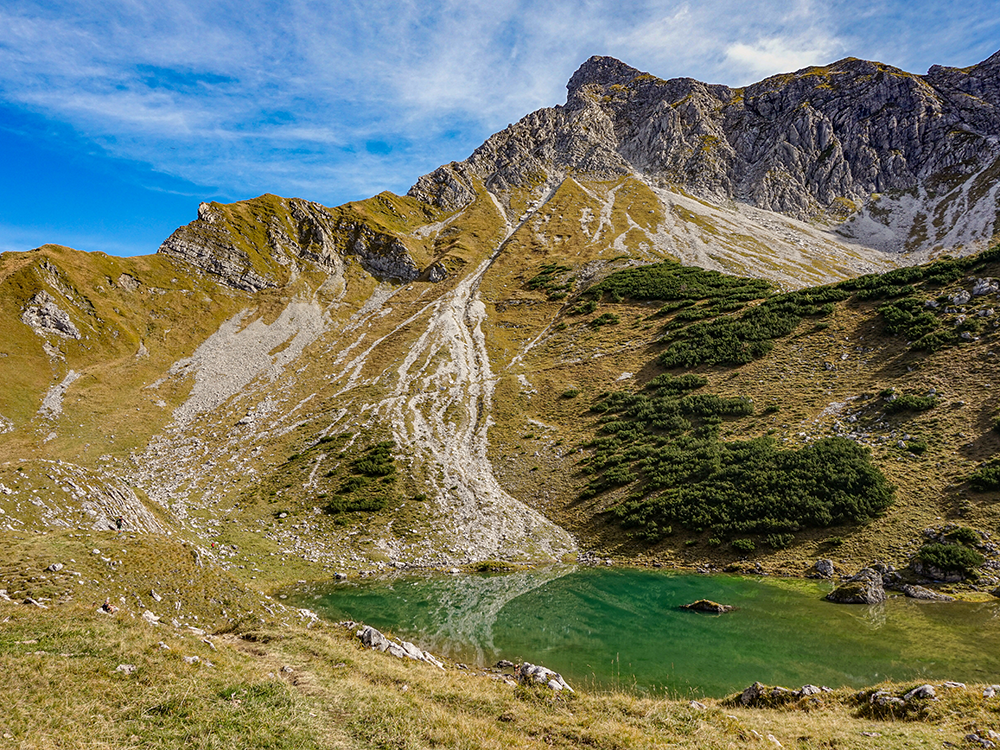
(251, 673)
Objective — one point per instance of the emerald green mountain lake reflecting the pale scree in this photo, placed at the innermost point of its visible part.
(623, 628)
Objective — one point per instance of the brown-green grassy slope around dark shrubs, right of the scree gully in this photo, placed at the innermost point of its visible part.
(829, 368)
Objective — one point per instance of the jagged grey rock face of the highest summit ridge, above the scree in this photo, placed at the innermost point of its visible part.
(822, 142)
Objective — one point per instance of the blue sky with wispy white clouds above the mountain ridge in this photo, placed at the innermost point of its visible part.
(117, 117)
